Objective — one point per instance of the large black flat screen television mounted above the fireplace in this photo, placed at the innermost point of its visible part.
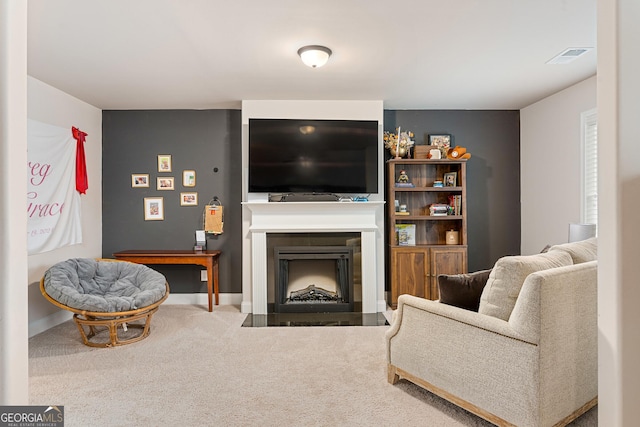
(313, 156)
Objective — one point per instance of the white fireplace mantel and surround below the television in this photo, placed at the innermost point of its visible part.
(315, 217)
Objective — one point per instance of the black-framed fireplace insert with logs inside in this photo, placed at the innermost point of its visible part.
(314, 279)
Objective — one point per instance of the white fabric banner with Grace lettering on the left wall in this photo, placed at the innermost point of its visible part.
(53, 204)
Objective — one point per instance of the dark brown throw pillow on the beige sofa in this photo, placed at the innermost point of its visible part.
(463, 290)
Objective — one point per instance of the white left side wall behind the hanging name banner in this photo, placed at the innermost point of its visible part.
(50, 105)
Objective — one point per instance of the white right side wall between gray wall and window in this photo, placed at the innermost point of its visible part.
(550, 165)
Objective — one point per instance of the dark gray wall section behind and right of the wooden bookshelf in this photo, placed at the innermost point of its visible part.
(493, 173)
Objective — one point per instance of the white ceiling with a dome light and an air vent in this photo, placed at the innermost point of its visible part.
(412, 54)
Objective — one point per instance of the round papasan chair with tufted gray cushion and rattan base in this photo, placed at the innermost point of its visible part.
(106, 293)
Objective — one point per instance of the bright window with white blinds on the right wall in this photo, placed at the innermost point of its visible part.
(589, 208)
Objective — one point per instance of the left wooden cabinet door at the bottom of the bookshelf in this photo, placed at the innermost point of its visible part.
(409, 273)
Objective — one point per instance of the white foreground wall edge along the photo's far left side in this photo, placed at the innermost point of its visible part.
(14, 350)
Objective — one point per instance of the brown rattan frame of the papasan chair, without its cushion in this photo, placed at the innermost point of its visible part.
(111, 320)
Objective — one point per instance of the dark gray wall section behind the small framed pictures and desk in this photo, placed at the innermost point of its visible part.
(204, 141)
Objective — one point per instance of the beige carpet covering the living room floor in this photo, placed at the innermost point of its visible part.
(203, 369)
